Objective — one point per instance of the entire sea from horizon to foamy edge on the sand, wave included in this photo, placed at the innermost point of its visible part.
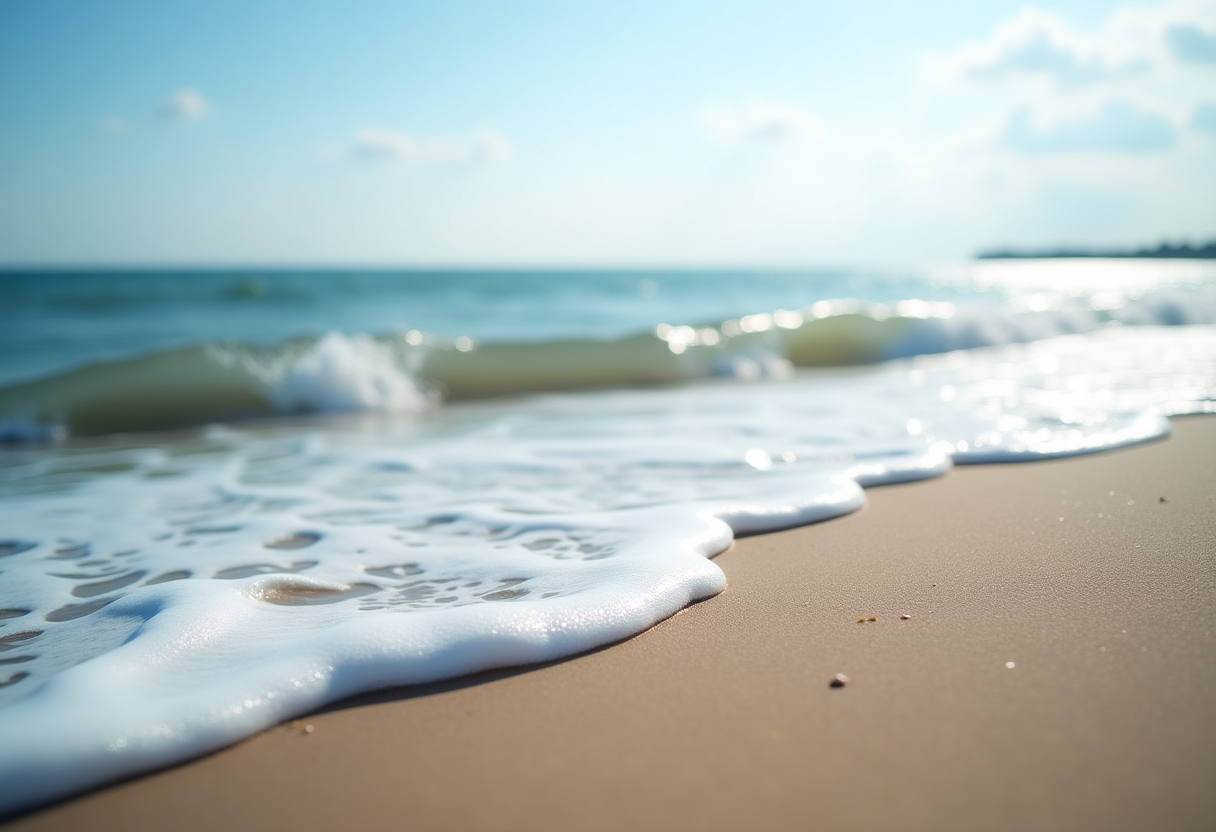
(230, 499)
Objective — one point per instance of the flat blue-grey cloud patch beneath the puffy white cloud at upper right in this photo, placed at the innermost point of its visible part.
(1117, 127)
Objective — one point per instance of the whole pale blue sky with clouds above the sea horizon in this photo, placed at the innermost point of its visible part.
(600, 134)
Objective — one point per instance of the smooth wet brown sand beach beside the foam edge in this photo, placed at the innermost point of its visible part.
(1057, 671)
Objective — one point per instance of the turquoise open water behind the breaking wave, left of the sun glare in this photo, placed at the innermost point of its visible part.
(55, 322)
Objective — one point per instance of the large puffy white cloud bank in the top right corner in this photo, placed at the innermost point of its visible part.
(1042, 88)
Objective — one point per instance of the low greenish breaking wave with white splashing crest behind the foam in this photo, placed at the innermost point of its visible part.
(412, 372)
